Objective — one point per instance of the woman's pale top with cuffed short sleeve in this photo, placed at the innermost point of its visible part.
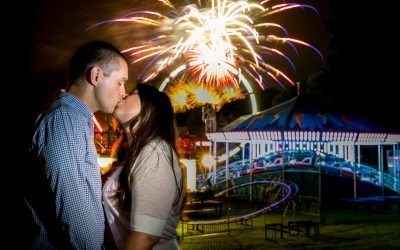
(155, 210)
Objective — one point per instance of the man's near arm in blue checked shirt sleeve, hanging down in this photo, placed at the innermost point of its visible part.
(65, 151)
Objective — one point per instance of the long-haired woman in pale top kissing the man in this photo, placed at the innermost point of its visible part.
(144, 197)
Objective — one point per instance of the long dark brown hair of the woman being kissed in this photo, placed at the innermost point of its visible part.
(156, 119)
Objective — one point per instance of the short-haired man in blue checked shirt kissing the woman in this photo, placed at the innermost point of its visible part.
(62, 191)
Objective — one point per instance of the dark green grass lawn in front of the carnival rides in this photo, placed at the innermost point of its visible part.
(339, 229)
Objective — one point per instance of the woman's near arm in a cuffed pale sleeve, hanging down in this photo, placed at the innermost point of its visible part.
(153, 194)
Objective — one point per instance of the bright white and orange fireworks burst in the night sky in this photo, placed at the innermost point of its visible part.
(217, 40)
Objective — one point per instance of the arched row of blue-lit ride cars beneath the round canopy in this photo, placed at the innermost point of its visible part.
(305, 160)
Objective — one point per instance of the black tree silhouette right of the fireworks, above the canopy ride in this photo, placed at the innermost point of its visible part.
(359, 73)
